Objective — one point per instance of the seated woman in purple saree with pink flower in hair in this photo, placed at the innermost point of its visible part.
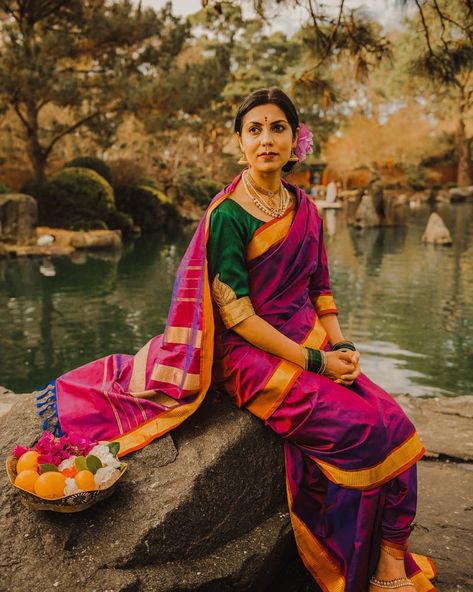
(252, 309)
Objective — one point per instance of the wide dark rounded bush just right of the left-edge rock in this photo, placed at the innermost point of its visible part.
(73, 196)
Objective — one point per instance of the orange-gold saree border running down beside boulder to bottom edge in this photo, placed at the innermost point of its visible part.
(313, 554)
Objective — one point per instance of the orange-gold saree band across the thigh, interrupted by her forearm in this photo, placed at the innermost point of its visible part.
(280, 382)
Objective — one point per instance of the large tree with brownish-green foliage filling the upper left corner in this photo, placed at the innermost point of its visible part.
(93, 59)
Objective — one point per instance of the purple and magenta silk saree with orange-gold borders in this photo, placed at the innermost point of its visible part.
(350, 452)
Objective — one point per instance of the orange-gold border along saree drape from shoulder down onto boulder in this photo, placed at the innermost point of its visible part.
(168, 420)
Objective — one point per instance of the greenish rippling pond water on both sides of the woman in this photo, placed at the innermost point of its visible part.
(409, 307)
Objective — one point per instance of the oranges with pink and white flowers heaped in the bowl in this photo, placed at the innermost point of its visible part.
(61, 466)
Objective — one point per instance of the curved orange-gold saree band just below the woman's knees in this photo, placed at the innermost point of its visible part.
(397, 461)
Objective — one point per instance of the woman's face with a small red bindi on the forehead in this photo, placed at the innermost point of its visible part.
(266, 138)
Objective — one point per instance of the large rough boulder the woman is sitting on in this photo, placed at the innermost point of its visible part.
(203, 509)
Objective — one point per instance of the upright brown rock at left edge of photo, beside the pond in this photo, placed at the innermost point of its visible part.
(18, 218)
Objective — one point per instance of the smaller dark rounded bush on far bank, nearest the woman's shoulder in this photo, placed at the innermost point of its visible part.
(150, 208)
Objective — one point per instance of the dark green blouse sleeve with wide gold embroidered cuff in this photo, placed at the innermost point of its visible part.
(228, 274)
